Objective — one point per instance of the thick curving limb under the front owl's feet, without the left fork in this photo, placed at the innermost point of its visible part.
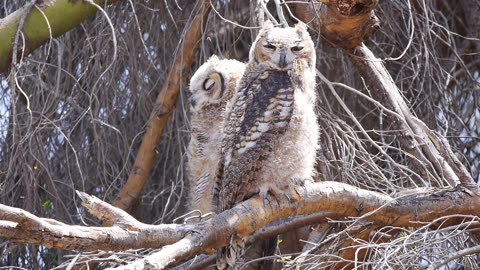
(342, 200)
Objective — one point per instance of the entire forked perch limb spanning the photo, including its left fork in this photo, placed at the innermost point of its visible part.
(330, 199)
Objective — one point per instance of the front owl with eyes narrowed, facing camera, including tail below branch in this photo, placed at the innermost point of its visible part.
(271, 131)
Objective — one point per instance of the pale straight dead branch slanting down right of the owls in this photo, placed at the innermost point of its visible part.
(414, 134)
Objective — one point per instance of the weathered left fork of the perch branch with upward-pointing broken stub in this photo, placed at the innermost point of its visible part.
(24, 227)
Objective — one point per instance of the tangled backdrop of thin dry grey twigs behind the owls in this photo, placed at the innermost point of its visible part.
(80, 106)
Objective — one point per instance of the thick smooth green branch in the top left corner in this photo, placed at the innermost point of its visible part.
(46, 20)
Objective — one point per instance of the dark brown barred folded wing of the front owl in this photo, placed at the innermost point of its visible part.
(261, 111)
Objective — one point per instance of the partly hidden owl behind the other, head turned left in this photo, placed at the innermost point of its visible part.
(212, 85)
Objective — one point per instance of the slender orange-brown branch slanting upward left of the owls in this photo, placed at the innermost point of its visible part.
(164, 105)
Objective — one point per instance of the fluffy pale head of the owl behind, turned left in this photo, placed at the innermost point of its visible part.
(214, 82)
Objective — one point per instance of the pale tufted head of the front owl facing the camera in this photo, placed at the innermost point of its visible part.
(281, 47)
